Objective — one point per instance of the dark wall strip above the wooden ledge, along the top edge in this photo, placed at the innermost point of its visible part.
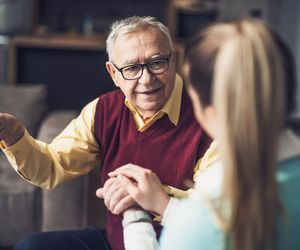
(62, 15)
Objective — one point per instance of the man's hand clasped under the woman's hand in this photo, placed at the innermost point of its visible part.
(116, 197)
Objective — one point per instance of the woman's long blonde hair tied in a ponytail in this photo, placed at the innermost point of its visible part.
(248, 95)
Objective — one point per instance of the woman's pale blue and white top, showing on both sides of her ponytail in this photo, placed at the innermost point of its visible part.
(191, 224)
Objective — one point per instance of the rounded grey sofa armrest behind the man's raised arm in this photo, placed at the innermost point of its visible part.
(64, 207)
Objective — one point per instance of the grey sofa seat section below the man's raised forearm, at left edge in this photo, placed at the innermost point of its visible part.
(17, 196)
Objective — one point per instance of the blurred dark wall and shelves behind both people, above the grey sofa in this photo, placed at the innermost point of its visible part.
(61, 42)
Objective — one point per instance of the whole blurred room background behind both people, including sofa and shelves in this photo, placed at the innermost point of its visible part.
(52, 63)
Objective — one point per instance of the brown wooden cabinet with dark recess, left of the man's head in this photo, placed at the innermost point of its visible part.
(73, 68)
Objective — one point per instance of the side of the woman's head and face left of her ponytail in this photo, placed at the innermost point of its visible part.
(199, 62)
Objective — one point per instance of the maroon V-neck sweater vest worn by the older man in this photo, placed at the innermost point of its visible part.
(170, 151)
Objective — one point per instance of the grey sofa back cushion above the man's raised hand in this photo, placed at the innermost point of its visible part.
(26, 102)
